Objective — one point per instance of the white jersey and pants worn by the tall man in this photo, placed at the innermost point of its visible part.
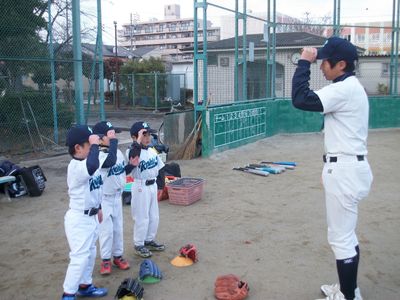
(348, 179)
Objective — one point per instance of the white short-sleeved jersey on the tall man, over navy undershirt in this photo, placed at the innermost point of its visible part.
(346, 112)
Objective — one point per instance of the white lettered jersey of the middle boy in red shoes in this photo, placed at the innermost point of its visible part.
(114, 177)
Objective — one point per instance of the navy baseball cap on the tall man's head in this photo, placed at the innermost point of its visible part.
(338, 49)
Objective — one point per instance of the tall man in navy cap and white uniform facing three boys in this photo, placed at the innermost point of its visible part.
(346, 176)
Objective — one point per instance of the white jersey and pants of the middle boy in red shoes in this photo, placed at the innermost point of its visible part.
(111, 237)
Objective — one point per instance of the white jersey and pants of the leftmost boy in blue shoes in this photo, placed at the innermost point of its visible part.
(81, 229)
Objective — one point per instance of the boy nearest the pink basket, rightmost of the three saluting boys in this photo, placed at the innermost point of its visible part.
(144, 202)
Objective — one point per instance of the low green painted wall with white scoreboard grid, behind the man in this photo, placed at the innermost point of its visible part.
(231, 126)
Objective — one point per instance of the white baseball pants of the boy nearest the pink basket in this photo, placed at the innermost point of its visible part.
(145, 212)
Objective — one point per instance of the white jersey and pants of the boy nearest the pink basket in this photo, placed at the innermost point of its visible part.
(144, 202)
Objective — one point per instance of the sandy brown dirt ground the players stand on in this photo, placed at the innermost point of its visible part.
(269, 231)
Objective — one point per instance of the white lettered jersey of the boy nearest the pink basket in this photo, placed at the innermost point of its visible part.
(149, 165)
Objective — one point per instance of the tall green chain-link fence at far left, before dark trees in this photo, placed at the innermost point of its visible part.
(37, 87)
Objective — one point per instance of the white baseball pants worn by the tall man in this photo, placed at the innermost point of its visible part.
(346, 182)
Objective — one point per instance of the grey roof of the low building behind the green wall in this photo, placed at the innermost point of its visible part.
(283, 39)
